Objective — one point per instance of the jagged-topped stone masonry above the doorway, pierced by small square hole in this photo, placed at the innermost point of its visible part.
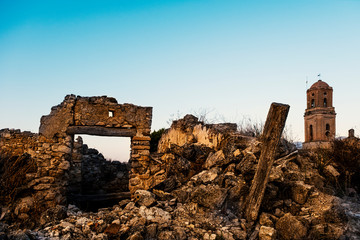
(96, 116)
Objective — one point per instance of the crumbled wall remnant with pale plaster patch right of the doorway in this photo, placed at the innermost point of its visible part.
(189, 147)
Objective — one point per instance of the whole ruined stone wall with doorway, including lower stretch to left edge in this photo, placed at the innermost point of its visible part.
(58, 157)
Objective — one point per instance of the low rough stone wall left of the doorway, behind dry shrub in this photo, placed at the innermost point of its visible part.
(45, 186)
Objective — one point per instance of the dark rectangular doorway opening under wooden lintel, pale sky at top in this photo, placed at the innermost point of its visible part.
(105, 166)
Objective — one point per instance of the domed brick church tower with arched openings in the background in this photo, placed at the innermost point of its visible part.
(319, 116)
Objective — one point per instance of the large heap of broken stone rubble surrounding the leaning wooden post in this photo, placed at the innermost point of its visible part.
(207, 179)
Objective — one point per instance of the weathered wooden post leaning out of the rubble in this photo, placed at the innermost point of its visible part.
(270, 138)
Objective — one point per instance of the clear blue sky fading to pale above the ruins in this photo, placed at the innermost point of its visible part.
(230, 57)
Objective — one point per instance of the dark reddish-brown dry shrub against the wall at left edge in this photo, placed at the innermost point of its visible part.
(13, 170)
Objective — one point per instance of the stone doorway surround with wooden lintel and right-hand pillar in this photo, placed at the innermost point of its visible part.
(103, 116)
